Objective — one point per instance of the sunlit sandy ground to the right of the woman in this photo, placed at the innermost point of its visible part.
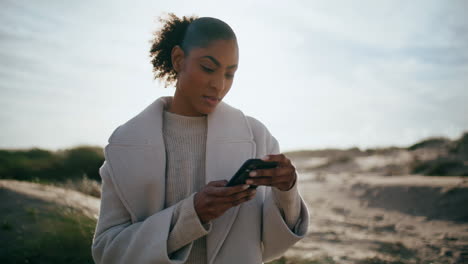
(400, 219)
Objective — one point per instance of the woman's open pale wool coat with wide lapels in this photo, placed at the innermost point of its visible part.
(133, 225)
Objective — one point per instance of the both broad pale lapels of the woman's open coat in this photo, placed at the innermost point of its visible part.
(137, 152)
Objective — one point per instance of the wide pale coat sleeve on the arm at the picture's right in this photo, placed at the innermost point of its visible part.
(277, 237)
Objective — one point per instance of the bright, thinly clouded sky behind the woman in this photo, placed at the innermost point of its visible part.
(316, 73)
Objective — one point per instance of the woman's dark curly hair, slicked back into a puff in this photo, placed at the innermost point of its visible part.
(188, 33)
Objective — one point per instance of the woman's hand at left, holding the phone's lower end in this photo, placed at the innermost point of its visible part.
(215, 199)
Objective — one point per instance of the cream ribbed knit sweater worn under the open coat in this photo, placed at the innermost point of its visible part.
(185, 143)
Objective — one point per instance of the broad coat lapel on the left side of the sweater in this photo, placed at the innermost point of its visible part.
(137, 157)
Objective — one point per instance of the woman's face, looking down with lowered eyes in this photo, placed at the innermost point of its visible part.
(205, 77)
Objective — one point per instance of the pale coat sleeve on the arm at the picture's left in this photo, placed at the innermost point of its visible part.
(118, 240)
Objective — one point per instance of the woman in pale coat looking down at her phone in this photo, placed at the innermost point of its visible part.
(163, 193)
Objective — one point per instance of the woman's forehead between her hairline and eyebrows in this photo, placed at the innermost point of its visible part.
(225, 51)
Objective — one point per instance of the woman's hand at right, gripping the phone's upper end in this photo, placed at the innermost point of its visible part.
(283, 177)
